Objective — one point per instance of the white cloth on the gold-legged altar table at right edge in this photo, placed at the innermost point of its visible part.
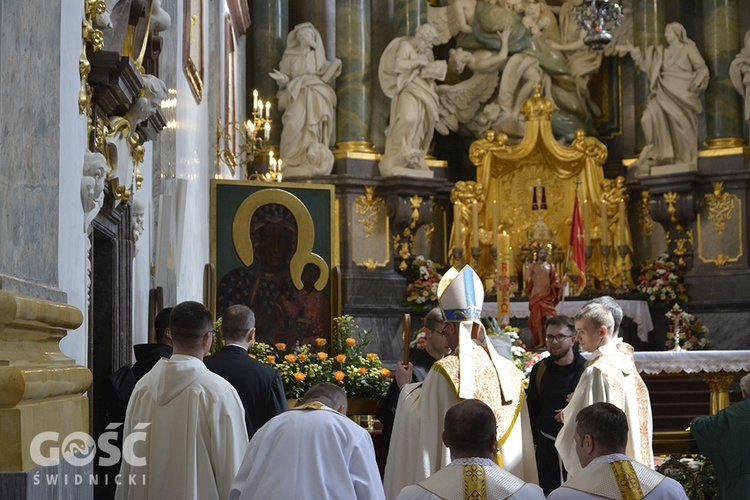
(653, 363)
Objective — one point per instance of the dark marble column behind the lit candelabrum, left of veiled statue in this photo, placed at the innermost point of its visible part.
(268, 33)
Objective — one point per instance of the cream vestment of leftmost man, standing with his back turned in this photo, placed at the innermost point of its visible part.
(193, 429)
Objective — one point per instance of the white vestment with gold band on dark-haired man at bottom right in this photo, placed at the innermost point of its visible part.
(617, 476)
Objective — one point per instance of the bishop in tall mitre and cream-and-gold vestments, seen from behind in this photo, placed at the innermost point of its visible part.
(474, 371)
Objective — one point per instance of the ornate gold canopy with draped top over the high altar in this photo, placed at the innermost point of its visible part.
(511, 175)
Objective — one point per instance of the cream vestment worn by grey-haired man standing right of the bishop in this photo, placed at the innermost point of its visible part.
(610, 376)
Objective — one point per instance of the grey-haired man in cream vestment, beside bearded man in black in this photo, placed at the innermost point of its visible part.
(610, 376)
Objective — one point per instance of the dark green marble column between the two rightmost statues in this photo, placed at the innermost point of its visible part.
(721, 33)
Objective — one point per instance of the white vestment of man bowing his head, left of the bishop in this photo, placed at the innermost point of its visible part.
(309, 452)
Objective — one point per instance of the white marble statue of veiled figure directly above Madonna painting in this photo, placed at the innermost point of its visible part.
(308, 103)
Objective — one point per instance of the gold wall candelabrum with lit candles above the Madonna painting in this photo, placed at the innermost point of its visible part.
(244, 140)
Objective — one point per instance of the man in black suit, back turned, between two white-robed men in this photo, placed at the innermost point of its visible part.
(259, 387)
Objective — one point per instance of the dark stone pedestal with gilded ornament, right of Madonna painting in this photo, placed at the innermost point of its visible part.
(373, 291)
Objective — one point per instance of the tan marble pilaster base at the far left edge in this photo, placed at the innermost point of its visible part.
(41, 390)
